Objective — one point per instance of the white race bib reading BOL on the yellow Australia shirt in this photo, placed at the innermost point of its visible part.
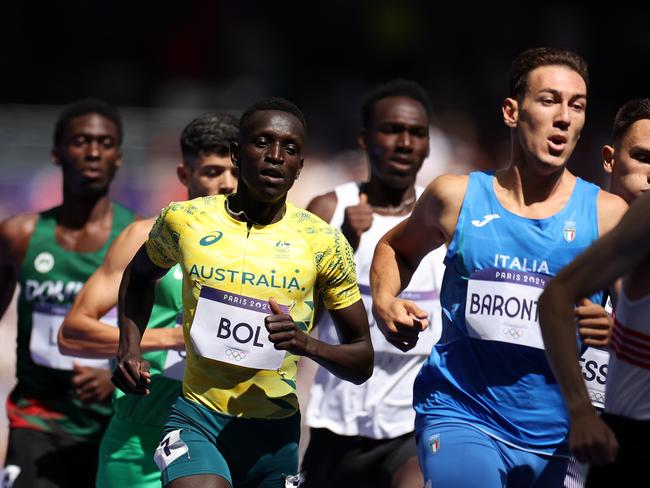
(230, 328)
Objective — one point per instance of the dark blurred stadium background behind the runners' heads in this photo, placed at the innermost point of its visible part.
(163, 63)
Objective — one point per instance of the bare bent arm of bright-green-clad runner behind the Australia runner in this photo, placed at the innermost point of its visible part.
(82, 333)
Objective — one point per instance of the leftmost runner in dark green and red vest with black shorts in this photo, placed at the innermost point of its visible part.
(60, 405)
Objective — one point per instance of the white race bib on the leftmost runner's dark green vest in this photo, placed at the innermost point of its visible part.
(46, 321)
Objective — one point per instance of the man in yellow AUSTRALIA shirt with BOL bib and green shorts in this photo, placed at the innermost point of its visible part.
(253, 265)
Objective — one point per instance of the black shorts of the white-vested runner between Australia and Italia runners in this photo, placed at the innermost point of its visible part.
(342, 461)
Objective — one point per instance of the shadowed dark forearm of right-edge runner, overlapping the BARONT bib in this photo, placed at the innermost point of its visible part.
(558, 332)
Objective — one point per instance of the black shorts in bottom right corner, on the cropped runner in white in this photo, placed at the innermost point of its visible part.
(630, 464)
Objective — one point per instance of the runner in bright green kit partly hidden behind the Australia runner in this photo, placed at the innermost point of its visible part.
(127, 448)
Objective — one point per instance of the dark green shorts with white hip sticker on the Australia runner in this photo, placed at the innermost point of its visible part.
(246, 452)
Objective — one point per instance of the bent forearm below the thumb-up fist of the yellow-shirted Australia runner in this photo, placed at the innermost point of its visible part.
(352, 362)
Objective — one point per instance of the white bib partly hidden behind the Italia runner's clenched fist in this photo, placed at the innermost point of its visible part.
(426, 300)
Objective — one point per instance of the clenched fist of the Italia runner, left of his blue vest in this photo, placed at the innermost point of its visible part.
(401, 321)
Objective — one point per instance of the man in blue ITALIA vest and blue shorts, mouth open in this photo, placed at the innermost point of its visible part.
(488, 409)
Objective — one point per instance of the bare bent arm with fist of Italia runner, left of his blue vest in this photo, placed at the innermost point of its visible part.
(400, 251)
